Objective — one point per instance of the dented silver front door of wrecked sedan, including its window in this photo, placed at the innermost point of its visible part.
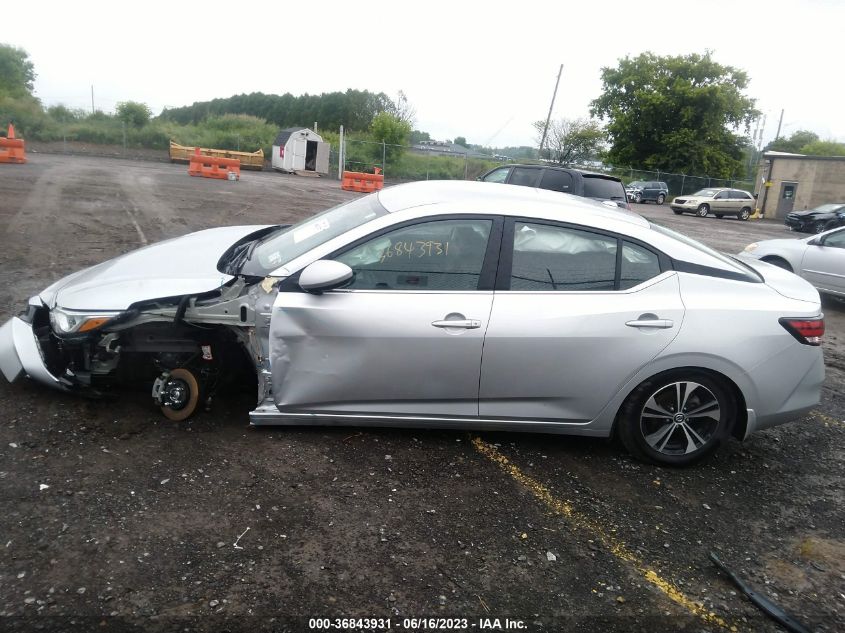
(404, 338)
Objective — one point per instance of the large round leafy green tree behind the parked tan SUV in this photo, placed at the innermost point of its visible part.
(676, 113)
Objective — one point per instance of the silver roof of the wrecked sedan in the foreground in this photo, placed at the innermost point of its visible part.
(501, 199)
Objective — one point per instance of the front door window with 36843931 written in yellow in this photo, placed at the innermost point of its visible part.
(437, 255)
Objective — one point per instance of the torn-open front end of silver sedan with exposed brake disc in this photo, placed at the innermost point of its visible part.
(187, 347)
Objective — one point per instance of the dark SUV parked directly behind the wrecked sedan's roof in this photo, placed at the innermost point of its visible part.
(579, 183)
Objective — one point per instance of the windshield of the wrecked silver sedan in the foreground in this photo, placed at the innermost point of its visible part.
(285, 245)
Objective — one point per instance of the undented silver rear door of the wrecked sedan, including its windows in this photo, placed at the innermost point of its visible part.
(569, 326)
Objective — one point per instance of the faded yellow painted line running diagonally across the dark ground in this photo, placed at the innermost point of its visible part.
(610, 542)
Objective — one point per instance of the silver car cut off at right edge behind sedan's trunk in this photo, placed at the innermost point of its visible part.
(819, 259)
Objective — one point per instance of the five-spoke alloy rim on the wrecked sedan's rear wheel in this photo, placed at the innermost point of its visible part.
(680, 418)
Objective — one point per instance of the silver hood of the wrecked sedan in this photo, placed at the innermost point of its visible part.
(179, 266)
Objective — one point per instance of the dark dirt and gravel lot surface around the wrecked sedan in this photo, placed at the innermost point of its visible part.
(115, 519)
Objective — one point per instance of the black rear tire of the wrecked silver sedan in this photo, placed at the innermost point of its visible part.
(642, 433)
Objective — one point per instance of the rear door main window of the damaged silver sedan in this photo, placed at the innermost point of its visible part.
(558, 258)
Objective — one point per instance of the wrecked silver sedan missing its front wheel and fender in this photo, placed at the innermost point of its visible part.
(445, 305)
